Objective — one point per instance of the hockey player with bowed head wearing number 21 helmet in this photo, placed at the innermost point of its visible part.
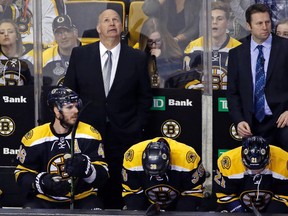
(252, 178)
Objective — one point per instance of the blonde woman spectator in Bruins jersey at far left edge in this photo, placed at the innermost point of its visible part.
(15, 64)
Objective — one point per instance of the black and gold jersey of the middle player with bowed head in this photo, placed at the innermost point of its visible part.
(184, 177)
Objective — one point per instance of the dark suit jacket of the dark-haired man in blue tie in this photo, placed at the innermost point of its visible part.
(240, 84)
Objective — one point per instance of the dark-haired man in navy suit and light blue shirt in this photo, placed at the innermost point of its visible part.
(241, 80)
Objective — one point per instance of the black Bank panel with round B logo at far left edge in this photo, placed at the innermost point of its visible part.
(16, 119)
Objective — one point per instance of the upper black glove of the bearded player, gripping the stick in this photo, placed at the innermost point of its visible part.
(78, 166)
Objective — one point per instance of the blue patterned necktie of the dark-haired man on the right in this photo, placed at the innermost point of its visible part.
(259, 99)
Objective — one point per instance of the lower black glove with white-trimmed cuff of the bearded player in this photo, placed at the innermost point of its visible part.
(51, 184)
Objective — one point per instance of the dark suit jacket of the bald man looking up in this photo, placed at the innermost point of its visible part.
(130, 97)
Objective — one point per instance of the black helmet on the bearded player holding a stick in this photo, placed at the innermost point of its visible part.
(62, 95)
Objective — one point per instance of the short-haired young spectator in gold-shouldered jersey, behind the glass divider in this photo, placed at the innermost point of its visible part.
(221, 44)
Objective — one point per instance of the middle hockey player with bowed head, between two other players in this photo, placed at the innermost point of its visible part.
(164, 172)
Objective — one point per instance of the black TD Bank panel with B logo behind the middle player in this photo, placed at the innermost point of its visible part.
(176, 113)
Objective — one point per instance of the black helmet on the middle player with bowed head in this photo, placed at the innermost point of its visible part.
(156, 158)
